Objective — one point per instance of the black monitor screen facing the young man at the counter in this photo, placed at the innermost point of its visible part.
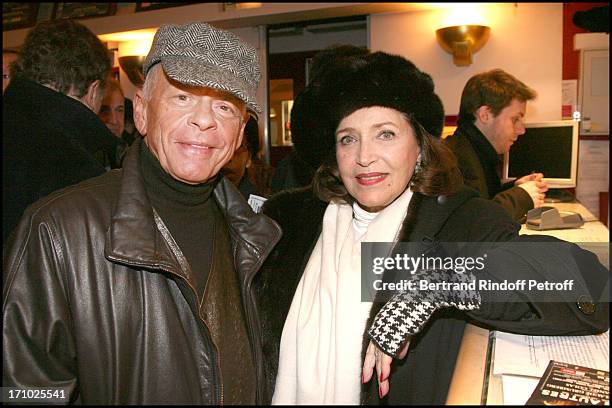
(546, 150)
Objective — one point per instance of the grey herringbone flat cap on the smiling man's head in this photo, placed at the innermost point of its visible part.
(202, 55)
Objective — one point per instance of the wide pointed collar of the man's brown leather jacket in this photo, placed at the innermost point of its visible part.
(133, 237)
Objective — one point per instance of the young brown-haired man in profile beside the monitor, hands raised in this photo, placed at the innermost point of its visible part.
(491, 115)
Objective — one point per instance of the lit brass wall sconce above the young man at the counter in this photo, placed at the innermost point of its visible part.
(462, 41)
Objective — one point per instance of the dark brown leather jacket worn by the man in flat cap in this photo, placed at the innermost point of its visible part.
(97, 298)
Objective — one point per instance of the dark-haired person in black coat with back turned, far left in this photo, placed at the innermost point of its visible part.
(51, 136)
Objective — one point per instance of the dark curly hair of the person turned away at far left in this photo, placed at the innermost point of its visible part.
(63, 54)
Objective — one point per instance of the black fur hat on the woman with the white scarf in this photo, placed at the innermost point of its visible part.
(383, 80)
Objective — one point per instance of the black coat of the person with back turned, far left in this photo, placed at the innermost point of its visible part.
(49, 141)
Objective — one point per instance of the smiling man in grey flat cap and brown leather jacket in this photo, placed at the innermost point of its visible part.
(135, 287)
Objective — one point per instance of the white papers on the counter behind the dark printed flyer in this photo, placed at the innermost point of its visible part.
(521, 360)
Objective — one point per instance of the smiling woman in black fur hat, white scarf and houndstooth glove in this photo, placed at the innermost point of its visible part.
(389, 179)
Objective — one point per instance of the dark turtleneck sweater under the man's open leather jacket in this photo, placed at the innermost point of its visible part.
(200, 230)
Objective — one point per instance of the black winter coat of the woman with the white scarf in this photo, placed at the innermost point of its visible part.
(424, 376)
